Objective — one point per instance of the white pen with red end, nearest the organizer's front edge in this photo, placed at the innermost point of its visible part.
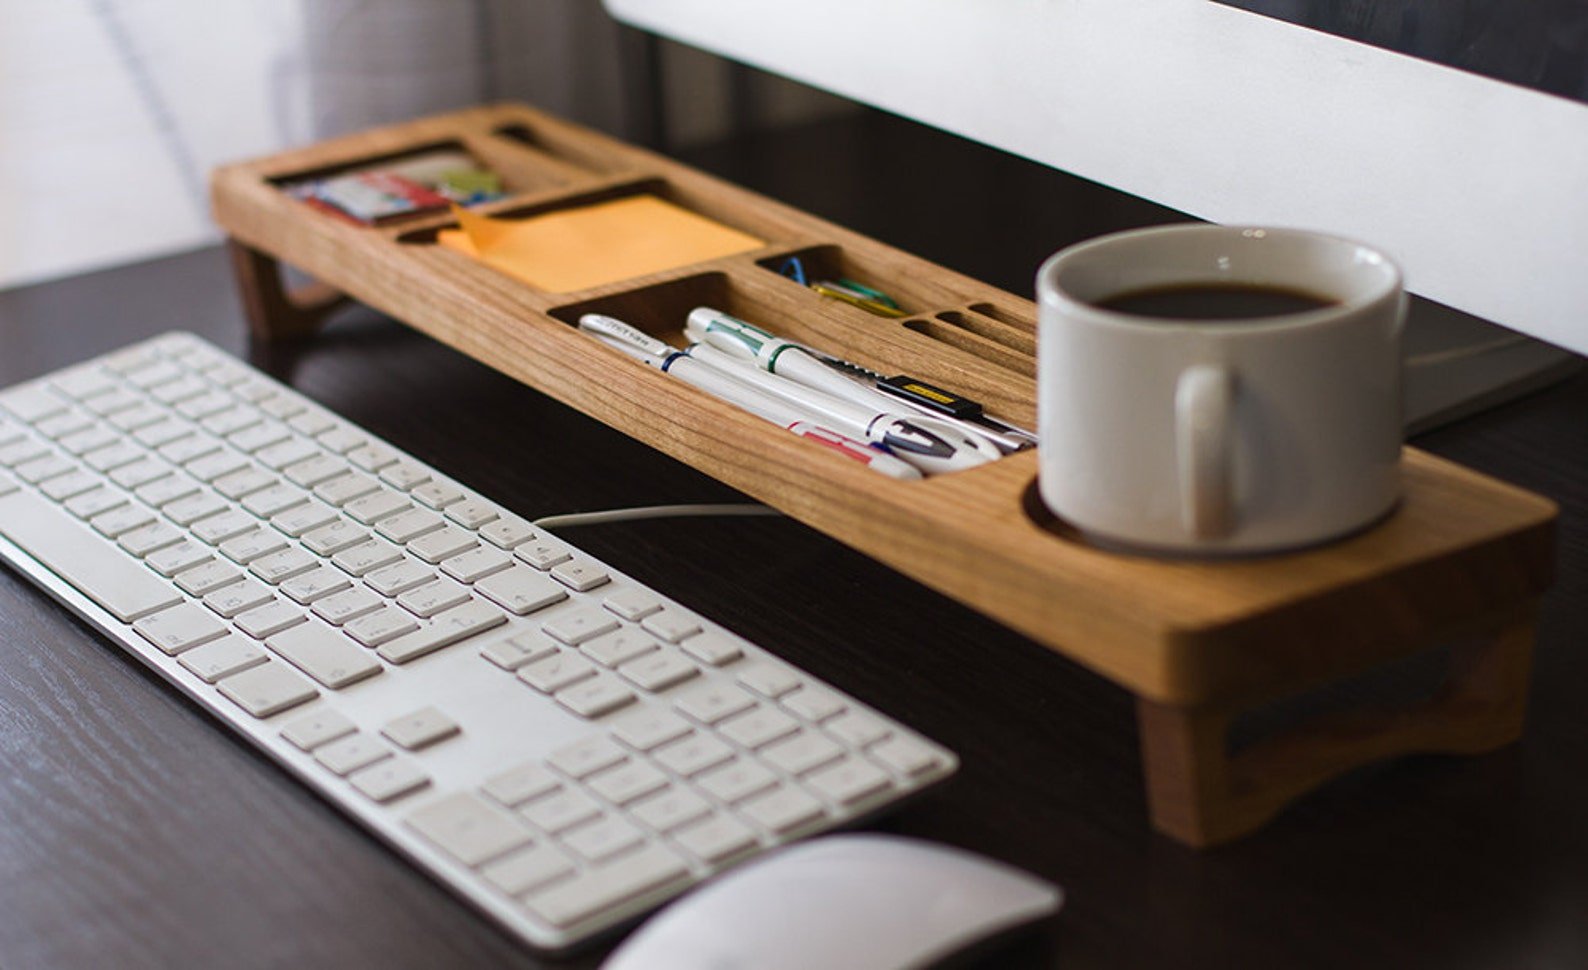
(661, 356)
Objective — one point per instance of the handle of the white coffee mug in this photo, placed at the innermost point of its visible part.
(1204, 399)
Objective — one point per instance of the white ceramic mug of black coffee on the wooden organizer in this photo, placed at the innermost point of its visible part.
(1217, 390)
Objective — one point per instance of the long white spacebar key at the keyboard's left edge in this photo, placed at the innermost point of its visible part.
(83, 560)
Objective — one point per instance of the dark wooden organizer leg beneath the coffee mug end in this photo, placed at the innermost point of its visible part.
(1201, 795)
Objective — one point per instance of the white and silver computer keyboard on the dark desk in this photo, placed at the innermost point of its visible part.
(553, 741)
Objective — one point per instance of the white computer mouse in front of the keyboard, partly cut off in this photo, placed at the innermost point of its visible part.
(844, 903)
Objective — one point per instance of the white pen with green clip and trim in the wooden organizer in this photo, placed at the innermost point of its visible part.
(792, 361)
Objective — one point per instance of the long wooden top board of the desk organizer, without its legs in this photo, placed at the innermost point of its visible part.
(1459, 547)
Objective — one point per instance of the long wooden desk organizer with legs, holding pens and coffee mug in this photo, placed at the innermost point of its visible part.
(1198, 644)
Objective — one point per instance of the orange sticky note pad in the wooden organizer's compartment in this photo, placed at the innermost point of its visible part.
(593, 245)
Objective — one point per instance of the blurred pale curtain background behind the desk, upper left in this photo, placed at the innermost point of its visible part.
(114, 112)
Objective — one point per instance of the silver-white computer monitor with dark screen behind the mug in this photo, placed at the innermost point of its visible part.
(1241, 112)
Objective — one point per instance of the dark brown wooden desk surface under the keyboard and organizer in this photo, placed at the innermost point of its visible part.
(136, 833)
